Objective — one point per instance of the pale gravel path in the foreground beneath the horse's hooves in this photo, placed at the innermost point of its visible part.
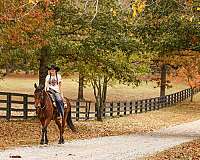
(113, 148)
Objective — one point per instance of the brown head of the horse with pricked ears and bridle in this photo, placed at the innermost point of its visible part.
(39, 97)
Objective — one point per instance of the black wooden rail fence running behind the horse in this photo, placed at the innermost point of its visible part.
(20, 106)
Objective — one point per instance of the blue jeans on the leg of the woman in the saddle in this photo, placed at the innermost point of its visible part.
(59, 101)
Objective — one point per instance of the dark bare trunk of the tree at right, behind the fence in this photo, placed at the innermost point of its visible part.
(163, 80)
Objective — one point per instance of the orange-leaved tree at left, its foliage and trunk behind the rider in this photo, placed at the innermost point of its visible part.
(25, 30)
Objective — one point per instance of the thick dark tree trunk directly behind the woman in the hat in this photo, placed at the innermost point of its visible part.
(43, 71)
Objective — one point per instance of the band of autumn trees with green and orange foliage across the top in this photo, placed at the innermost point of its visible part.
(103, 41)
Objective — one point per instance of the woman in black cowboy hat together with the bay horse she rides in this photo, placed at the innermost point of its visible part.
(45, 109)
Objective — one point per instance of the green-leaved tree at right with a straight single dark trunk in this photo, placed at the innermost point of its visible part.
(164, 27)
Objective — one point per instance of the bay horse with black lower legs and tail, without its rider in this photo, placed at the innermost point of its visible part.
(46, 112)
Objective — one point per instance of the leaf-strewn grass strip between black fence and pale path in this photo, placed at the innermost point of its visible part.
(18, 133)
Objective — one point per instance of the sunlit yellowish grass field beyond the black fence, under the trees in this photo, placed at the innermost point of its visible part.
(22, 84)
